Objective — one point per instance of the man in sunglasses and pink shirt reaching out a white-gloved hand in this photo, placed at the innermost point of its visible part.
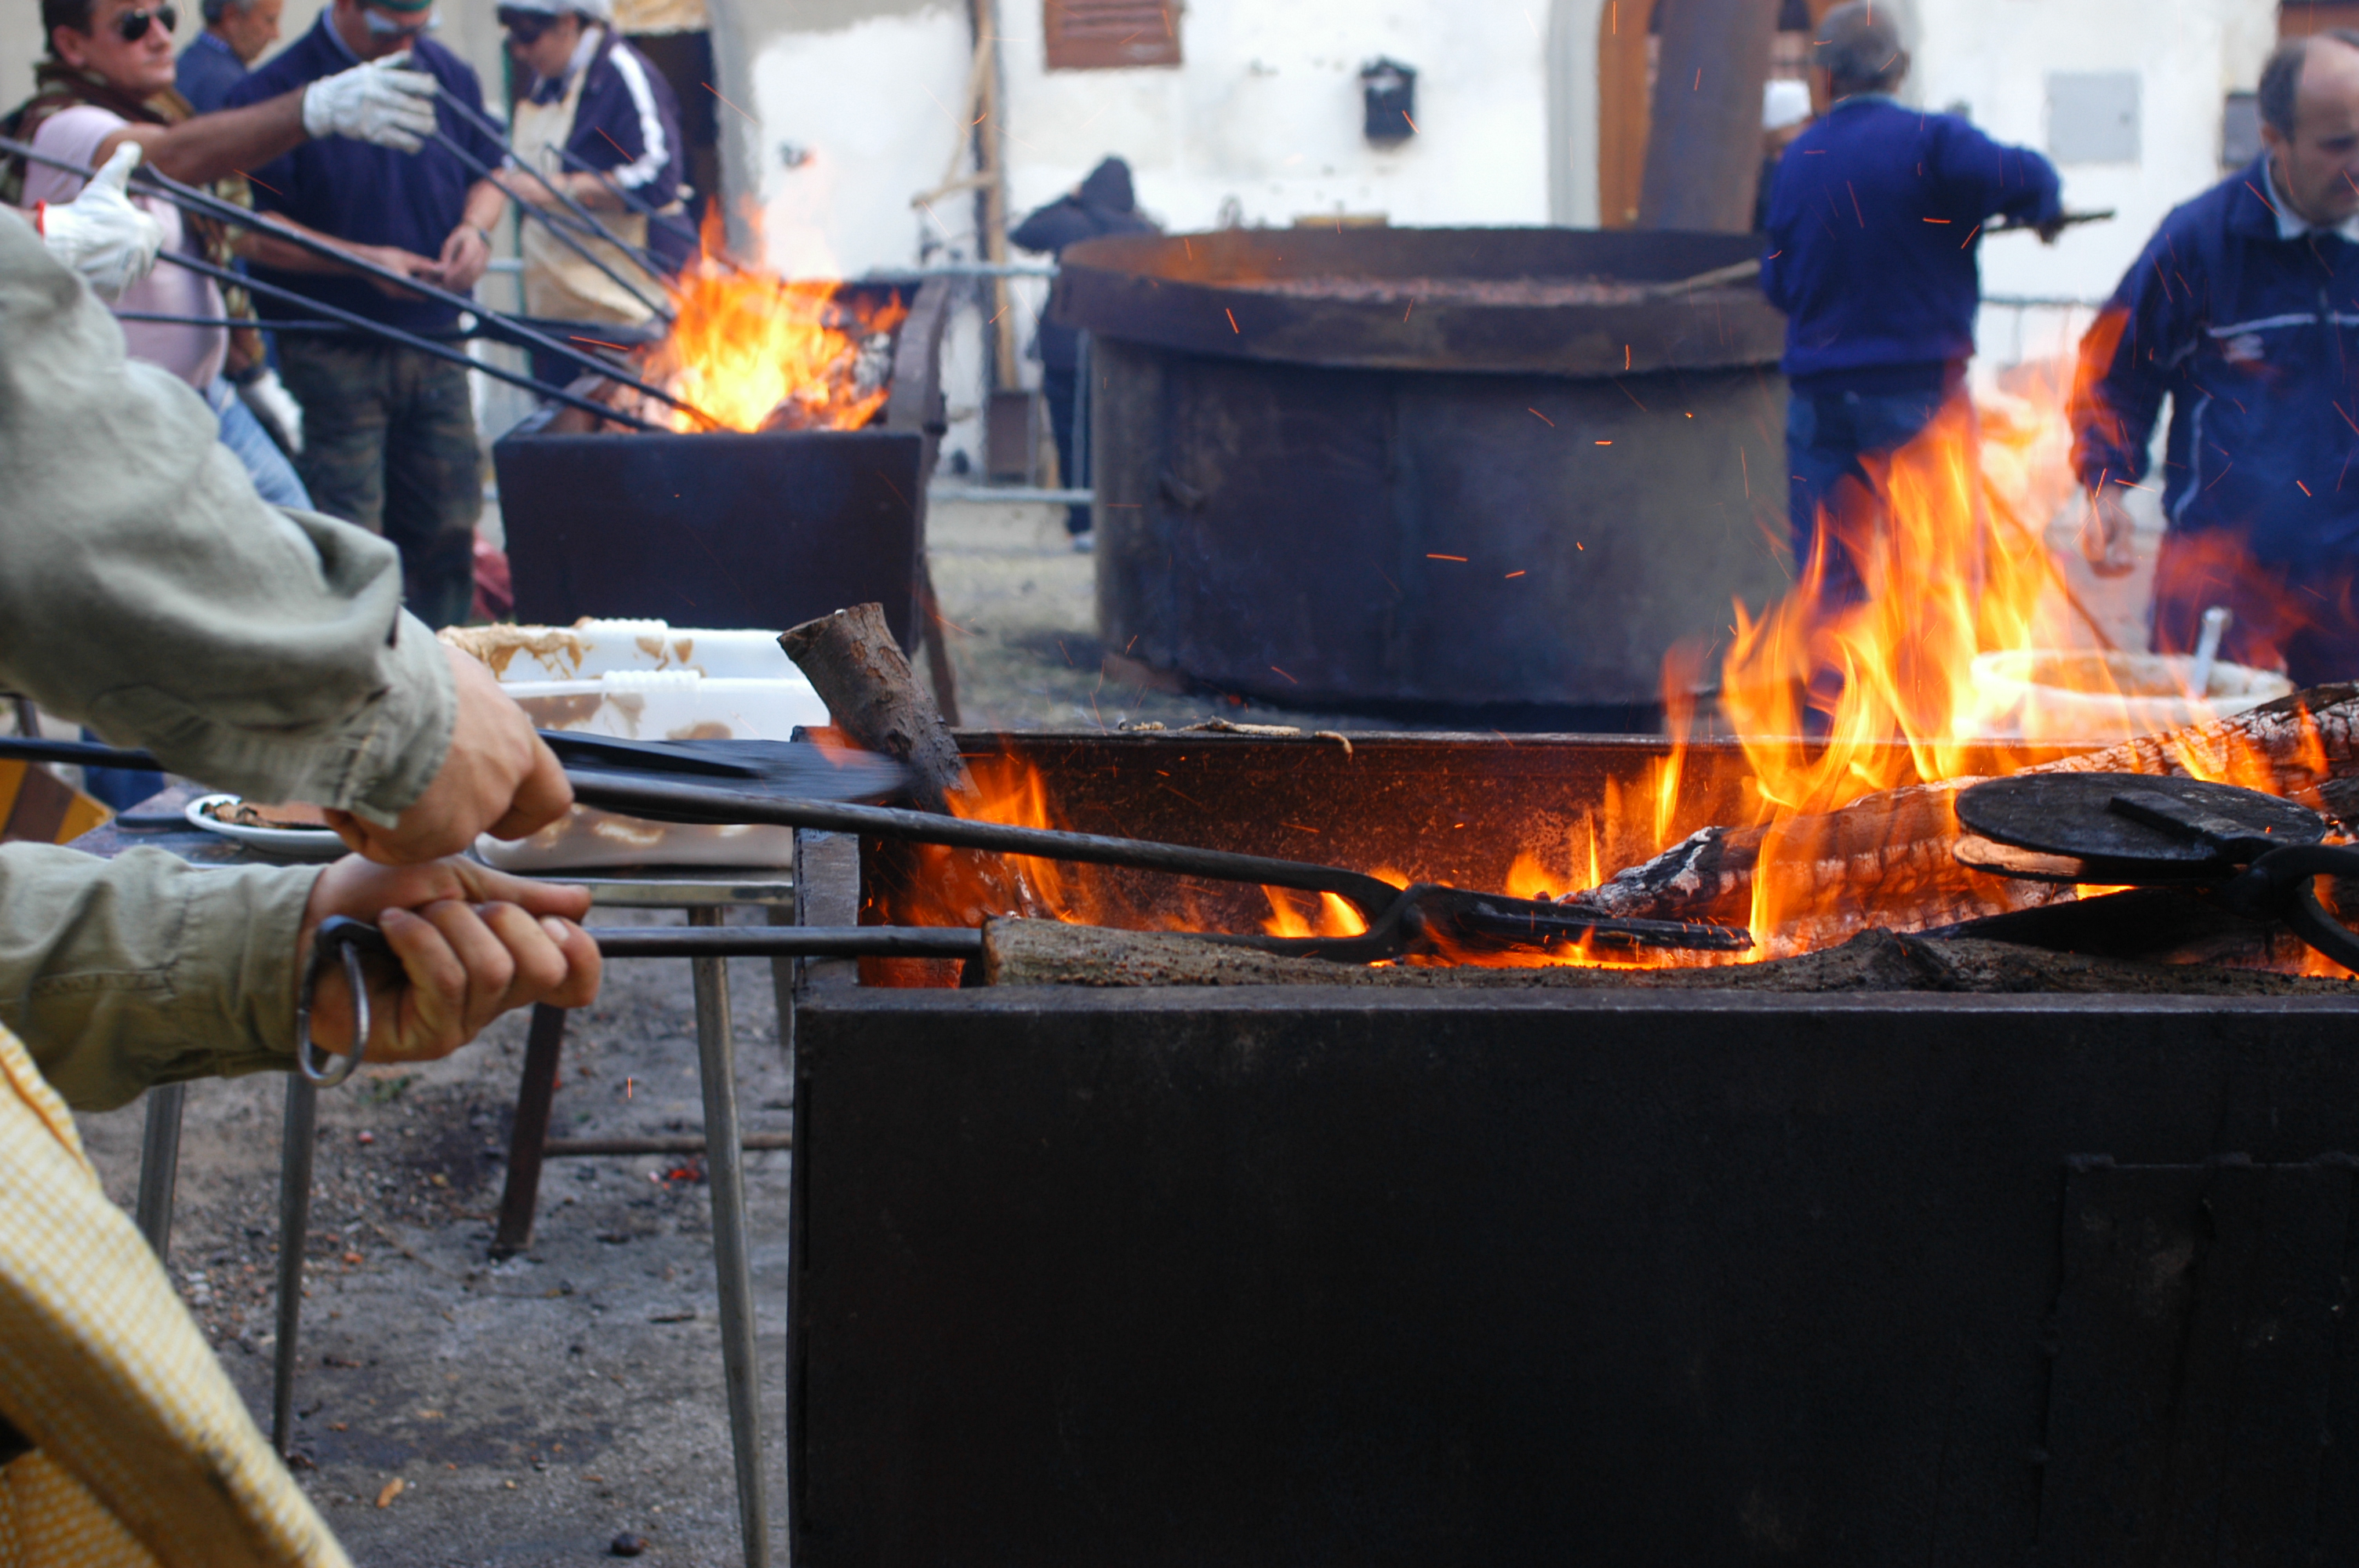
(110, 84)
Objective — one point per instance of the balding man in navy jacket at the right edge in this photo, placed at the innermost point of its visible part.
(2245, 308)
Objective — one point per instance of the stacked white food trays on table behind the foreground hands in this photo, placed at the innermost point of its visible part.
(640, 680)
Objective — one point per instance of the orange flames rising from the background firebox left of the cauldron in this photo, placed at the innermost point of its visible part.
(763, 353)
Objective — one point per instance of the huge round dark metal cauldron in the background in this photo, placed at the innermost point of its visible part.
(1282, 480)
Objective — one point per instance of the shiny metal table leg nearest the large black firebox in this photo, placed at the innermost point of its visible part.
(732, 1265)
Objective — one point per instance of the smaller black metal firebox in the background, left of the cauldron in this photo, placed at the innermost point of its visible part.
(732, 529)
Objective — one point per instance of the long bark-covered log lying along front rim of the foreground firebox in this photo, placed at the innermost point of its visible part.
(1056, 954)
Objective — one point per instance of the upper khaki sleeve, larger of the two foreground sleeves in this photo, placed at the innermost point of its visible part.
(152, 595)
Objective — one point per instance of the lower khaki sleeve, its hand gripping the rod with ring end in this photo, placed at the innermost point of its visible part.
(143, 970)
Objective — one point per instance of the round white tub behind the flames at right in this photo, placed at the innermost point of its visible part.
(2072, 694)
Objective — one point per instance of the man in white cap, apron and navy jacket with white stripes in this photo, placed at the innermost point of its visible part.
(598, 124)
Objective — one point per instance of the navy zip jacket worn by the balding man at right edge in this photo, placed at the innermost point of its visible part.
(2256, 341)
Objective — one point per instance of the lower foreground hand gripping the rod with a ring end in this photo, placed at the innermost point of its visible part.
(473, 944)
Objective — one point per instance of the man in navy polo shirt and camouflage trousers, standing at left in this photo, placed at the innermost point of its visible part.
(388, 433)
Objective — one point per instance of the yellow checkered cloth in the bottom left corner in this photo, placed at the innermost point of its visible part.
(145, 1451)
